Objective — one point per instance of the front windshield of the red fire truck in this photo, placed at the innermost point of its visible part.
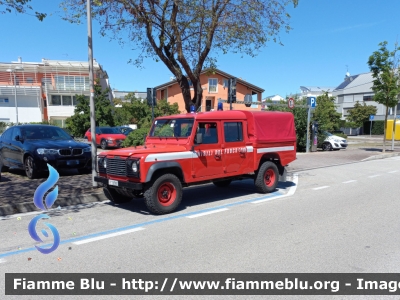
(178, 128)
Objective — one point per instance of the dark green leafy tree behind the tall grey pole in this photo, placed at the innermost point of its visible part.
(79, 123)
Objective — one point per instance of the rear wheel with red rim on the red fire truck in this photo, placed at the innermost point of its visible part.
(267, 177)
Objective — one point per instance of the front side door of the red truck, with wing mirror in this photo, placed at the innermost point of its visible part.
(207, 158)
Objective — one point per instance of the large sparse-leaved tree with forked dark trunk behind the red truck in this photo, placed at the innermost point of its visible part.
(187, 35)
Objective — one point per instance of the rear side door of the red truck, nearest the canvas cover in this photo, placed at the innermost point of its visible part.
(233, 147)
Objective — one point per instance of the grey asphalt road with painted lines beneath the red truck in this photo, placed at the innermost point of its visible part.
(340, 219)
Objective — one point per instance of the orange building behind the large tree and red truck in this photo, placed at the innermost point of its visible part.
(215, 86)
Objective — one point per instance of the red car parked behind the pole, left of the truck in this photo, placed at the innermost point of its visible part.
(107, 137)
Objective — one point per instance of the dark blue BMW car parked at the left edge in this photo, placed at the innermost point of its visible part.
(32, 147)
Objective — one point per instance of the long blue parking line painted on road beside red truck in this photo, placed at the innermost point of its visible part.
(272, 195)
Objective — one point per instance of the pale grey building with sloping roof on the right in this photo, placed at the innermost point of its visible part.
(358, 88)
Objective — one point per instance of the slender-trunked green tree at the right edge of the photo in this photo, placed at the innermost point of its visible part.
(384, 66)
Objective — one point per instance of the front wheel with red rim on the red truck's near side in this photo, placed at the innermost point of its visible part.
(165, 195)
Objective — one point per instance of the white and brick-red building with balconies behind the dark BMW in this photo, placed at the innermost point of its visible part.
(46, 90)
